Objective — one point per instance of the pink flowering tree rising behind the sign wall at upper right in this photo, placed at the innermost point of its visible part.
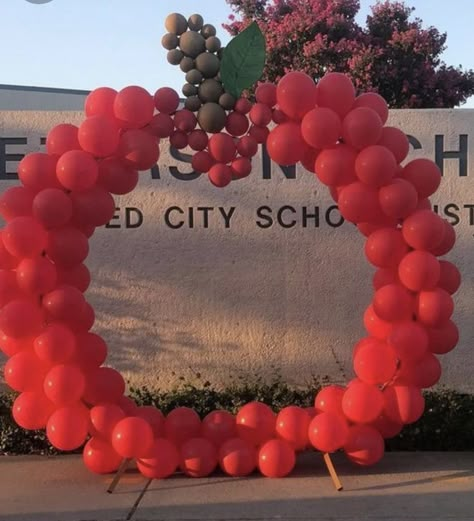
(393, 54)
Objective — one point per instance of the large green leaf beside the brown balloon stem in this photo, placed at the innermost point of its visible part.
(243, 60)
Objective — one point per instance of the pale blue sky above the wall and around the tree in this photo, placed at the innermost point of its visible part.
(83, 44)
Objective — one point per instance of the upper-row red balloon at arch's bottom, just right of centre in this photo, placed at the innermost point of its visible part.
(256, 423)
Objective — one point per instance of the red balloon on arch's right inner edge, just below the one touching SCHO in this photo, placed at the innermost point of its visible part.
(385, 248)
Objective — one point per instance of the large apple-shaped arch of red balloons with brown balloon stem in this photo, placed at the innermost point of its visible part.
(57, 364)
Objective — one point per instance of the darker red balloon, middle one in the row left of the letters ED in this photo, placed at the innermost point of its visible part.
(52, 208)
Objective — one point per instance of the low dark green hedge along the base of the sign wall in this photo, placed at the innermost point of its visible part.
(447, 425)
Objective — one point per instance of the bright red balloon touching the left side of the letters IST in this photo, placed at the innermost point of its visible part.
(423, 230)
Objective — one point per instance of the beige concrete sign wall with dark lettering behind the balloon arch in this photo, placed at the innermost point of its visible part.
(264, 274)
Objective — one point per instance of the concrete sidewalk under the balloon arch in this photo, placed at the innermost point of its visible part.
(405, 486)
